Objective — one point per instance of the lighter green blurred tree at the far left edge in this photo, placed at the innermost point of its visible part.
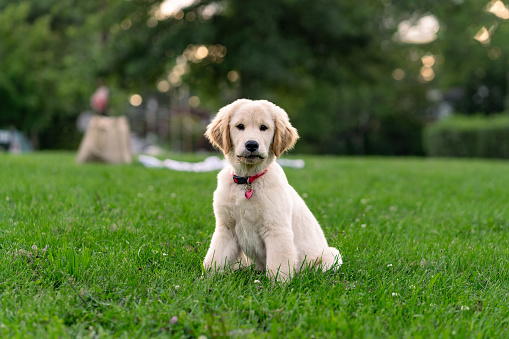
(42, 77)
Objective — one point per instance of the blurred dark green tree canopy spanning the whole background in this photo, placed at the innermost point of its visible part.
(342, 70)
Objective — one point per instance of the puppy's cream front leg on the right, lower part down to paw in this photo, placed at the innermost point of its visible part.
(281, 254)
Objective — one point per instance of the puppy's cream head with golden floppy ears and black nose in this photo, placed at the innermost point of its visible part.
(252, 132)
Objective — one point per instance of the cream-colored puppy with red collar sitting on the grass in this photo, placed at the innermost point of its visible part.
(260, 218)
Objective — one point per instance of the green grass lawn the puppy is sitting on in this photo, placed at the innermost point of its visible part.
(425, 245)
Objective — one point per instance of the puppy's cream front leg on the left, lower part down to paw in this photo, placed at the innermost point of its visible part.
(223, 250)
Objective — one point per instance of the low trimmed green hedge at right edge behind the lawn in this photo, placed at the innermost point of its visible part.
(468, 136)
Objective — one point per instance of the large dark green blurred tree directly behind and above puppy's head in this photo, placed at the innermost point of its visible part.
(329, 63)
